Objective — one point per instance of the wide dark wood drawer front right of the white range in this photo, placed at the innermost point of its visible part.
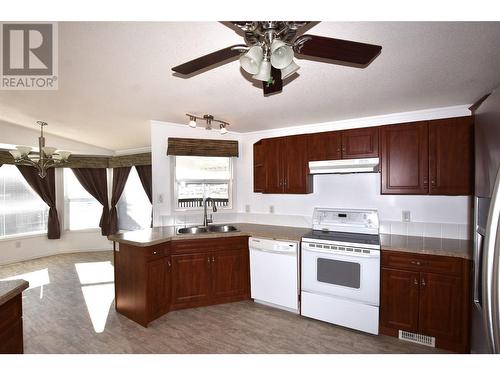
(421, 262)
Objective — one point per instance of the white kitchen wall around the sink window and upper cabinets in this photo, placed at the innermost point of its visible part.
(438, 216)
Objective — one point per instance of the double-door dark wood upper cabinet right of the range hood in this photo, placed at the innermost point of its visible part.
(429, 157)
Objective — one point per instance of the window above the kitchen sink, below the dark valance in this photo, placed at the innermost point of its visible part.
(200, 177)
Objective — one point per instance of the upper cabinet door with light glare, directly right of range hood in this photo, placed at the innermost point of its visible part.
(405, 158)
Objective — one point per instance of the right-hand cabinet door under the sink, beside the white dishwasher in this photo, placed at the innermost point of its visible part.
(230, 274)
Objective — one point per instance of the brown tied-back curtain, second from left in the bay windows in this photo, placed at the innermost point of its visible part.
(94, 180)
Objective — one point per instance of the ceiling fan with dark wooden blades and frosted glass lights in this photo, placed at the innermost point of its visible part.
(271, 46)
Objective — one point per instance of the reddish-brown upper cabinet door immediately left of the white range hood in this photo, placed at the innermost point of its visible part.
(297, 179)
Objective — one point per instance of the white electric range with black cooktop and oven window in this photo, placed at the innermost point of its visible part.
(340, 260)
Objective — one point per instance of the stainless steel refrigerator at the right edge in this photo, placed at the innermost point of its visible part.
(485, 307)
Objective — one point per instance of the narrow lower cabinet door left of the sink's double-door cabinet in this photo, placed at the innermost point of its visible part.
(158, 287)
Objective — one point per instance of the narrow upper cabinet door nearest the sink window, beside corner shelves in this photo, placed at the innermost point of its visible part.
(273, 153)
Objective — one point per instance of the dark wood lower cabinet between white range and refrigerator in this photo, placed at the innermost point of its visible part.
(428, 295)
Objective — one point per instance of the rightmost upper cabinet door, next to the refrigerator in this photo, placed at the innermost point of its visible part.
(451, 156)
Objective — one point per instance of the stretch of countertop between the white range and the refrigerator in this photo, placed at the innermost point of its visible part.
(427, 245)
